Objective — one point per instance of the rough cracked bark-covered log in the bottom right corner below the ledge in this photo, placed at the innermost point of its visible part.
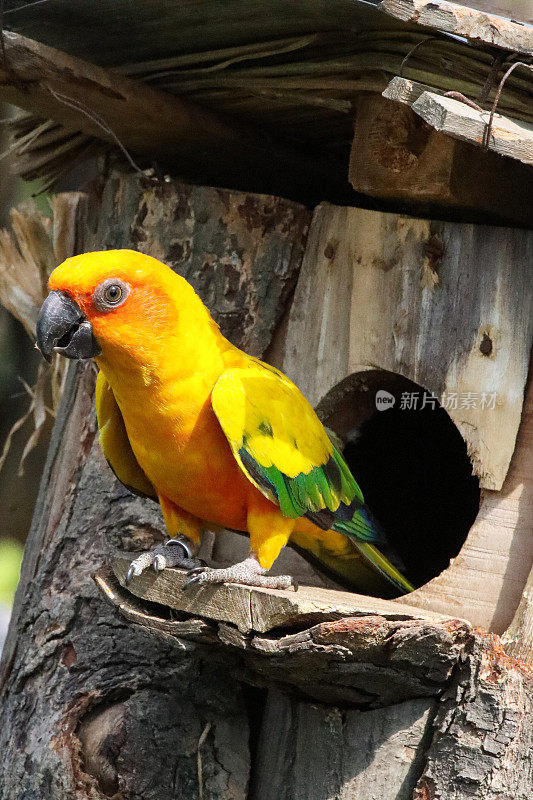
(480, 750)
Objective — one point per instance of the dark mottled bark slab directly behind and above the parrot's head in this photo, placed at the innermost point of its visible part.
(241, 252)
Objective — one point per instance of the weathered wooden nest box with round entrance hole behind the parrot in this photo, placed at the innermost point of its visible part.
(400, 305)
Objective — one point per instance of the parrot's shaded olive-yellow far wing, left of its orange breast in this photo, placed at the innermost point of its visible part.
(115, 443)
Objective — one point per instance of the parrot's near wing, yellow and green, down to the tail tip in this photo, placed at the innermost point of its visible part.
(283, 448)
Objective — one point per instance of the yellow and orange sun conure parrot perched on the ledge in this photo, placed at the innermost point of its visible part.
(218, 437)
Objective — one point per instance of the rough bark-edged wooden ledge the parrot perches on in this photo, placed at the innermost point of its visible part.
(352, 649)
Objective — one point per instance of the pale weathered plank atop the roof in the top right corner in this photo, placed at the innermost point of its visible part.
(462, 21)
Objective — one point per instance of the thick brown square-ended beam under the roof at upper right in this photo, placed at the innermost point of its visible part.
(396, 155)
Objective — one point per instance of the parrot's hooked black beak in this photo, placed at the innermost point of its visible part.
(63, 328)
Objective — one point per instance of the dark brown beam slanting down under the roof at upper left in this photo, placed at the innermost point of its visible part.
(87, 98)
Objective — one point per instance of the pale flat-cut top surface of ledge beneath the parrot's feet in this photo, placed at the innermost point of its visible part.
(252, 609)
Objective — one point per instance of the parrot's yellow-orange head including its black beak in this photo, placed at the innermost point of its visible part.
(114, 300)
